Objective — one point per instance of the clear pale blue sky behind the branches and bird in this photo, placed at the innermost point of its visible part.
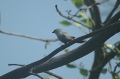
(38, 19)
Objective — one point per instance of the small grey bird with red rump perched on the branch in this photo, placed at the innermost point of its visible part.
(64, 36)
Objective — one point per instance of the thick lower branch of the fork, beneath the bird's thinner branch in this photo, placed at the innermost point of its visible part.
(79, 52)
